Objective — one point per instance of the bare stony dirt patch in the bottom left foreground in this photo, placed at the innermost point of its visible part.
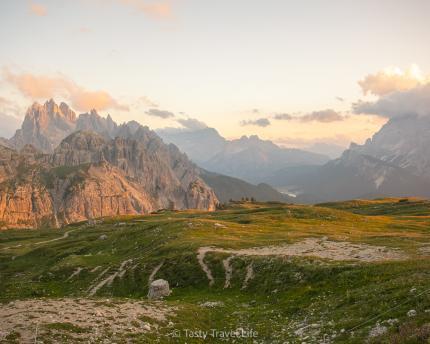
(95, 320)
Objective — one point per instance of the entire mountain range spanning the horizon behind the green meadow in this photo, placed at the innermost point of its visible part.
(60, 168)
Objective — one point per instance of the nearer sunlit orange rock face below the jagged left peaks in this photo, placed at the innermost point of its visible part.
(89, 177)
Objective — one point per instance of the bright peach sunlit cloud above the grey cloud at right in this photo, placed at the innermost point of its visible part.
(392, 79)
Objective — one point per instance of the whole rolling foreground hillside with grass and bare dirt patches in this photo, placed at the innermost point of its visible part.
(291, 273)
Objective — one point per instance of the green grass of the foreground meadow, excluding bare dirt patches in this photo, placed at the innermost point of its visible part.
(286, 293)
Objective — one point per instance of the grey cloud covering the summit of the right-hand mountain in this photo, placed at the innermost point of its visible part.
(415, 102)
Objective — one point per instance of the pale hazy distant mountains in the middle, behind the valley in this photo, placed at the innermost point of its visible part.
(249, 158)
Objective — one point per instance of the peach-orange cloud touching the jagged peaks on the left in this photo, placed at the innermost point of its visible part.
(43, 86)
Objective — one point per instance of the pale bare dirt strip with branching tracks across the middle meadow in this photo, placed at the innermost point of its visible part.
(310, 247)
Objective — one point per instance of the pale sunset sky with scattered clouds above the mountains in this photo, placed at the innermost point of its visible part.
(289, 71)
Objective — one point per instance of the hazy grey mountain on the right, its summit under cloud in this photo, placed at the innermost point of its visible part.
(394, 162)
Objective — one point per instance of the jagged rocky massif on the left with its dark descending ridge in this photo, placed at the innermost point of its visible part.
(61, 168)
